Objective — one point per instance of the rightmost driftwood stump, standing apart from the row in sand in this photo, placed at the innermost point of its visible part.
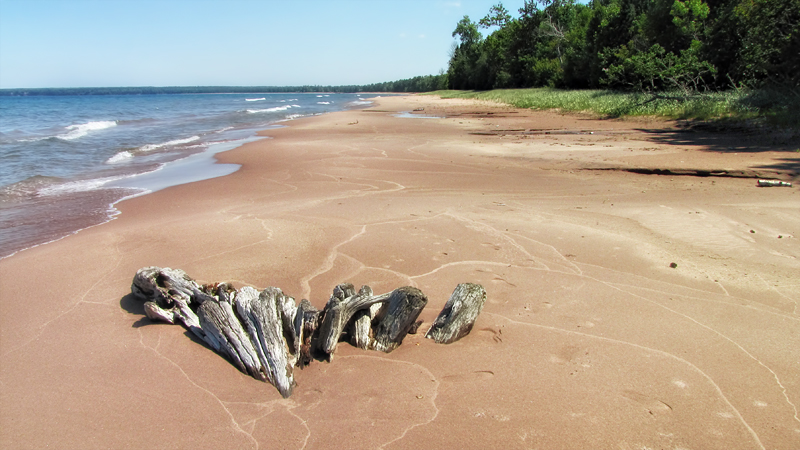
(459, 314)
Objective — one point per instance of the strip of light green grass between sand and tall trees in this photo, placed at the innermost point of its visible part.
(751, 107)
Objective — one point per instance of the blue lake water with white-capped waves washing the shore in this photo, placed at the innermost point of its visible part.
(65, 160)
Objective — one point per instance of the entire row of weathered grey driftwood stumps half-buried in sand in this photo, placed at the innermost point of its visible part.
(266, 334)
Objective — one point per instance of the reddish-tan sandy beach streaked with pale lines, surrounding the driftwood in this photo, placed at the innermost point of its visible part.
(589, 338)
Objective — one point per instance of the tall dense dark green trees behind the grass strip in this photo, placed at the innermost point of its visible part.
(684, 46)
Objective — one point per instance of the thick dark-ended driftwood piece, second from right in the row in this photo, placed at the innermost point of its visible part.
(405, 305)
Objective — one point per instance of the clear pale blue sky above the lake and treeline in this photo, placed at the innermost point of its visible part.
(100, 43)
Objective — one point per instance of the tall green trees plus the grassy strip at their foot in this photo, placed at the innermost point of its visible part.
(729, 60)
